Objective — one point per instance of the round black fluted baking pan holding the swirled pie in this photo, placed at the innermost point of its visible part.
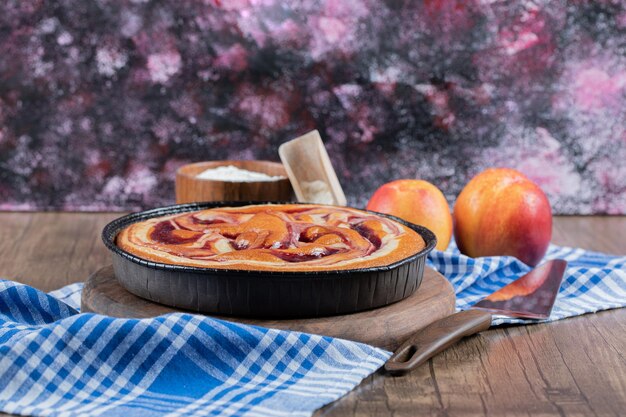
(263, 294)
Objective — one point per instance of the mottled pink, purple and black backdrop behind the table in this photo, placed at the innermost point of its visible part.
(100, 102)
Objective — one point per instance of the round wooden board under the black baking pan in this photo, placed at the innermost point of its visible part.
(386, 327)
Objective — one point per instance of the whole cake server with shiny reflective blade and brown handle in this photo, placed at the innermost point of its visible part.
(530, 296)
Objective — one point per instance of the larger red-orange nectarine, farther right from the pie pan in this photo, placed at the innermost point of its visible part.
(502, 212)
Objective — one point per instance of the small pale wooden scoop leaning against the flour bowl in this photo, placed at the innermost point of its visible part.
(310, 171)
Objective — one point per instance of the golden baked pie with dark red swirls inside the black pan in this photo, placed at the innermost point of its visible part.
(272, 237)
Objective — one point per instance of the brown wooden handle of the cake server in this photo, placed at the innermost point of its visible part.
(436, 337)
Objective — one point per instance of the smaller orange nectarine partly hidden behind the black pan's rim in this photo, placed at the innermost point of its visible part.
(418, 202)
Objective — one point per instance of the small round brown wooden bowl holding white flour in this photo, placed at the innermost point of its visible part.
(190, 189)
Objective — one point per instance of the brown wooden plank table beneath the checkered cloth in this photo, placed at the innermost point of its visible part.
(576, 367)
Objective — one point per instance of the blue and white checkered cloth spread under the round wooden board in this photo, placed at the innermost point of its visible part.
(57, 362)
